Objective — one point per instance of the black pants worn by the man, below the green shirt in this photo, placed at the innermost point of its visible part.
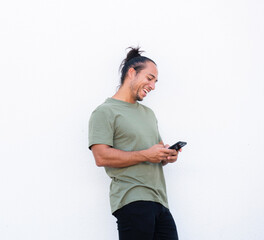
(145, 220)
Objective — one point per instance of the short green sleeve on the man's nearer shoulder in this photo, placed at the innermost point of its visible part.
(101, 128)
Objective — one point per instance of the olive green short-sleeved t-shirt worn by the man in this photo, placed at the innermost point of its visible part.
(129, 127)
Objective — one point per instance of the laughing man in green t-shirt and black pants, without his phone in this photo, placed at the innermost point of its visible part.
(124, 138)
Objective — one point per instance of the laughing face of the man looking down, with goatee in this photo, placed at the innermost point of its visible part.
(144, 81)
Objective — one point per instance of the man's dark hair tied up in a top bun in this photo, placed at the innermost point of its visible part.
(133, 60)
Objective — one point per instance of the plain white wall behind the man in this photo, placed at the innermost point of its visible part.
(60, 59)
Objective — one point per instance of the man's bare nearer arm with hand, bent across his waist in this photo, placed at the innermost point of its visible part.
(110, 157)
